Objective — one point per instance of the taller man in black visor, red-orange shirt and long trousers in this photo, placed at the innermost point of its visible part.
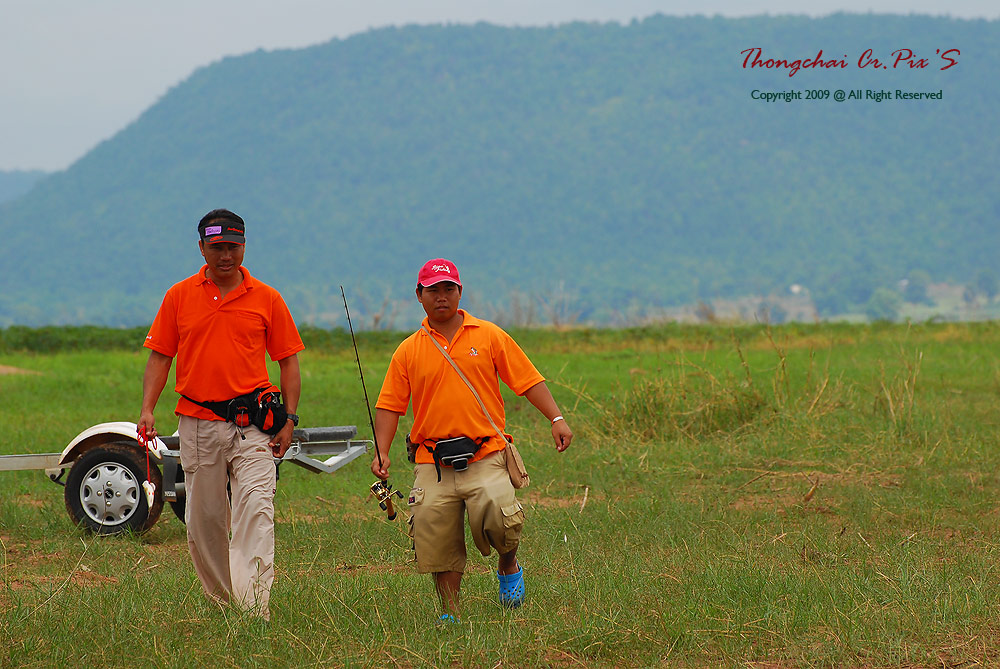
(219, 323)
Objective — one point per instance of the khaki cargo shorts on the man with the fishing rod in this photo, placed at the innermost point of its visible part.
(483, 491)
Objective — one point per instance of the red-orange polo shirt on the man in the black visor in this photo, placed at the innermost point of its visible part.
(220, 341)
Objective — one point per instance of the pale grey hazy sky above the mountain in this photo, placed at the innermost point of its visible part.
(75, 72)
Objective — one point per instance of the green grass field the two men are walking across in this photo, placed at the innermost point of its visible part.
(822, 495)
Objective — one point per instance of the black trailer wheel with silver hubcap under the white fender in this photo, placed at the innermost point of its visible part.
(104, 490)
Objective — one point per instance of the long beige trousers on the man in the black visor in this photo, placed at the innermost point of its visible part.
(231, 542)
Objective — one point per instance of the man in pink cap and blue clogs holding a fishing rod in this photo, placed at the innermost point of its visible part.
(444, 408)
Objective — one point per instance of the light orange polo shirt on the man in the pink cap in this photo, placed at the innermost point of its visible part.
(443, 406)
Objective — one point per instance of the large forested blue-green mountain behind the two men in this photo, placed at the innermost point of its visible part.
(614, 168)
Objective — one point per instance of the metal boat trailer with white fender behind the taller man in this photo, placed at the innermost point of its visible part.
(106, 465)
